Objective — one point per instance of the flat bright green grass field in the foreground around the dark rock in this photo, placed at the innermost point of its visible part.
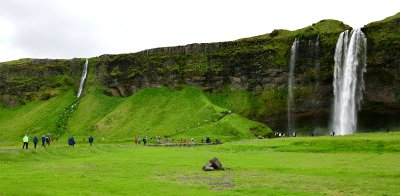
(360, 164)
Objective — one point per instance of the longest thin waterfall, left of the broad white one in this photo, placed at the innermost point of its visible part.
(290, 101)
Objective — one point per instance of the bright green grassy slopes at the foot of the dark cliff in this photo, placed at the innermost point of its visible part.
(150, 112)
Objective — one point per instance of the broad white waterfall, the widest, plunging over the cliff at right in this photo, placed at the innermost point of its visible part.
(348, 85)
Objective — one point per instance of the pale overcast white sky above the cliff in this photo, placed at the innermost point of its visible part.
(88, 28)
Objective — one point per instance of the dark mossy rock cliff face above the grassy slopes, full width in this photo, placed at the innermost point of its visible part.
(258, 65)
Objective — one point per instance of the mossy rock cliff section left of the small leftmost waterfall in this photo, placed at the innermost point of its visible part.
(32, 79)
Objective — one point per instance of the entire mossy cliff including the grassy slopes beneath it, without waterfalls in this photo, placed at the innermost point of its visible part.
(247, 77)
